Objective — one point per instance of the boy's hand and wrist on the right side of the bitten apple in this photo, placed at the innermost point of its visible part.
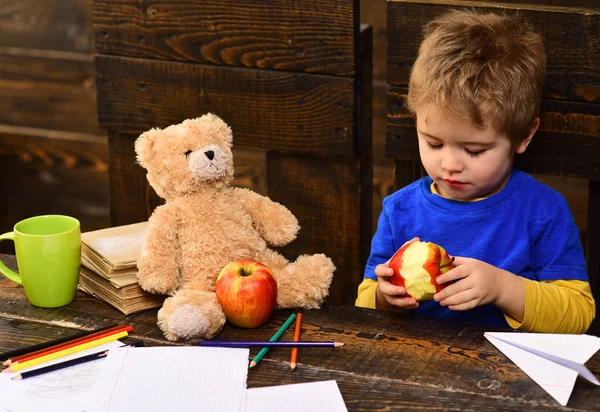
(479, 283)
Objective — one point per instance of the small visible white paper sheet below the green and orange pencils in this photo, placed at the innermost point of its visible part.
(322, 396)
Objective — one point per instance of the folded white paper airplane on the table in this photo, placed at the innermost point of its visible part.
(553, 361)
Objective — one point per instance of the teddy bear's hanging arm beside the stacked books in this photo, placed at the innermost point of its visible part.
(158, 269)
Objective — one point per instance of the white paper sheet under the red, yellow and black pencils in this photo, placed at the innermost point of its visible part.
(65, 390)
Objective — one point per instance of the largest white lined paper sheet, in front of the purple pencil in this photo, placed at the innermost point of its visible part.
(173, 379)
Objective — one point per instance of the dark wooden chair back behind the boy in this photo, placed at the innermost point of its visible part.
(568, 143)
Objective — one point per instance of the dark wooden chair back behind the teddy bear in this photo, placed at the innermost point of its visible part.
(287, 76)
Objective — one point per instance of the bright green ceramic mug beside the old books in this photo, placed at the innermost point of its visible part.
(48, 252)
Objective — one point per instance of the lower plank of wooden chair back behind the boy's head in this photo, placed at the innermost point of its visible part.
(567, 143)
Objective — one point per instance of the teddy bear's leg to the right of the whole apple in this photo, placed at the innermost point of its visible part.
(305, 283)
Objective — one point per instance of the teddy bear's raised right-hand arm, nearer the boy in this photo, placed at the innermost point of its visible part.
(275, 223)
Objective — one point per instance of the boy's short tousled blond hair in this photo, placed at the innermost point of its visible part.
(479, 67)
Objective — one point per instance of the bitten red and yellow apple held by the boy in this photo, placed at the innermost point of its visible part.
(416, 266)
